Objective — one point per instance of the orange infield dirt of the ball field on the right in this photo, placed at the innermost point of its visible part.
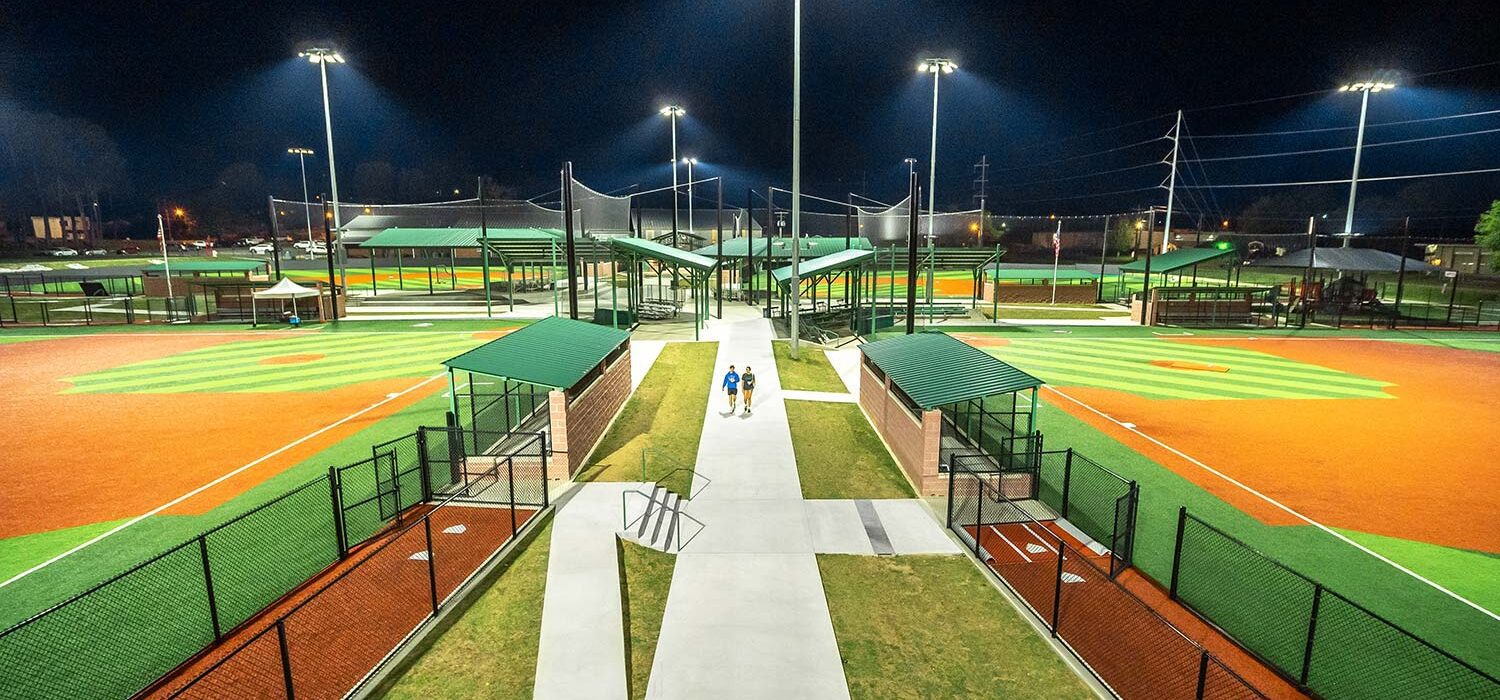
(1399, 468)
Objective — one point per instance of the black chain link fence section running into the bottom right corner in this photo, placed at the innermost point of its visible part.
(1316, 638)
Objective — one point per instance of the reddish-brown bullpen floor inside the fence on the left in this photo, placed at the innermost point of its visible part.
(341, 624)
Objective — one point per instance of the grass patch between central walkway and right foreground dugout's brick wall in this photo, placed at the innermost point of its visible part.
(839, 455)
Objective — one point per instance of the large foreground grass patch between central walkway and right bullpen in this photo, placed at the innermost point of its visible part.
(904, 635)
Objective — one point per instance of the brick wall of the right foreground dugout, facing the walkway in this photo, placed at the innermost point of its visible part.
(911, 440)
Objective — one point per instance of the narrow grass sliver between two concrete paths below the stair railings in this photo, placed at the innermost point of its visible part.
(646, 576)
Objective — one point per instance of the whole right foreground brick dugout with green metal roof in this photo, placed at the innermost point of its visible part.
(964, 401)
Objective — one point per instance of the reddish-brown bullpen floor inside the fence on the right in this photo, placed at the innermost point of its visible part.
(1135, 651)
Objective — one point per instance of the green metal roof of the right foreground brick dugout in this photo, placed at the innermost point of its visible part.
(935, 369)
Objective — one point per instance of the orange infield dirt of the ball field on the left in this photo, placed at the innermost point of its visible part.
(80, 459)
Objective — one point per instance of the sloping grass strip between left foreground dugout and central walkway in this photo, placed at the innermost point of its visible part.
(664, 422)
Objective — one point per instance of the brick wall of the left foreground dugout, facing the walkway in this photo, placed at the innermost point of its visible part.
(578, 426)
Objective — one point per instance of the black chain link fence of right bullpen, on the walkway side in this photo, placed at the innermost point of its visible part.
(1123, 641)
